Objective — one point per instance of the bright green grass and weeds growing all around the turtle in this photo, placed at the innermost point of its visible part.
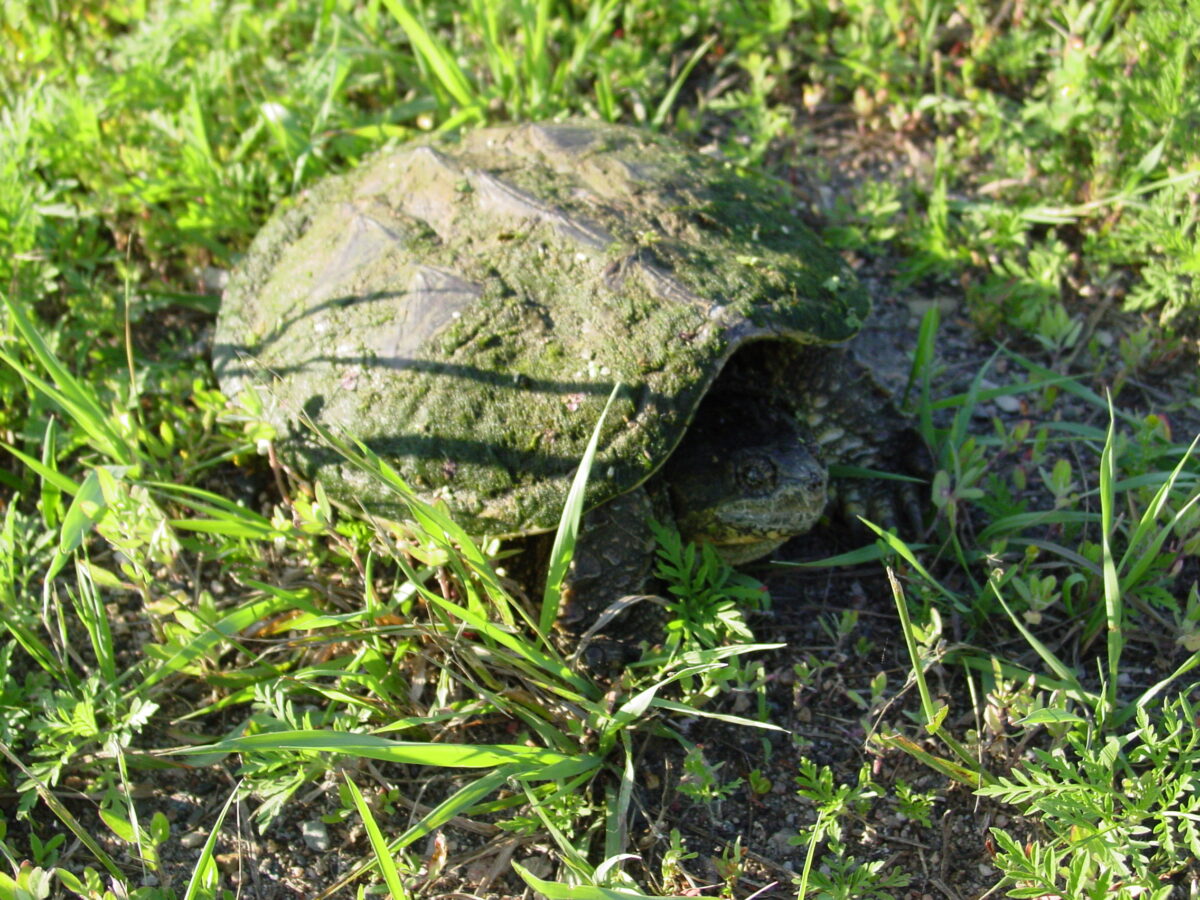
(1052, 185)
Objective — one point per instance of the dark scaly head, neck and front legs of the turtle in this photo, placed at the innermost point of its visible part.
(749, 475)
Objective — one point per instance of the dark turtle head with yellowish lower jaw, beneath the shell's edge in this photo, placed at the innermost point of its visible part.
(746, 478)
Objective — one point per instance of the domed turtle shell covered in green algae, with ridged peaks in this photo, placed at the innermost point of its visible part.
(465, 309)
